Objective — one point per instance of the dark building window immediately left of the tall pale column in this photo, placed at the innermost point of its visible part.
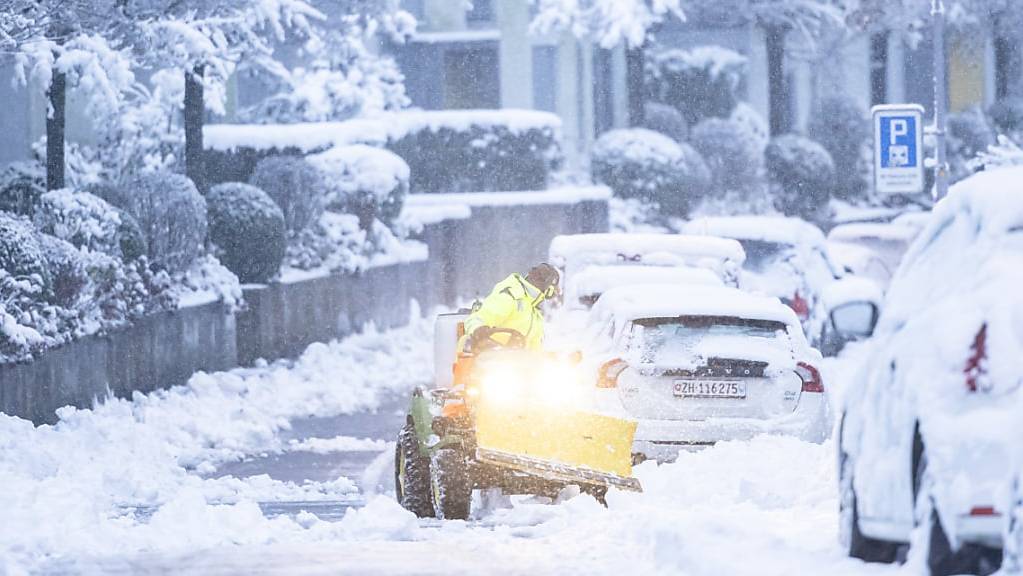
(471, 78)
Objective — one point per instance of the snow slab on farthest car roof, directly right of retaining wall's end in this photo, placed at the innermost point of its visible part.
(608, 249)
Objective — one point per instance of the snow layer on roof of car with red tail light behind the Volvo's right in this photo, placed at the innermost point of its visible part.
(777, 230)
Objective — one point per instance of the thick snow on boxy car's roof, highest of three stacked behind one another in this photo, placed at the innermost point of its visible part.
(637, 247)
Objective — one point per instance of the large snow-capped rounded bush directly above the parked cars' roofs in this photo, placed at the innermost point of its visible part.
(646, 165)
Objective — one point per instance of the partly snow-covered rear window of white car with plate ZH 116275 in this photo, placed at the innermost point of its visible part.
(661, 339)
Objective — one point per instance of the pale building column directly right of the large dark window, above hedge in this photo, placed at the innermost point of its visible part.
(516, 55)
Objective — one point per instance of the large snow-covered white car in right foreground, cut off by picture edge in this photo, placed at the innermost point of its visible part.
(933, 420)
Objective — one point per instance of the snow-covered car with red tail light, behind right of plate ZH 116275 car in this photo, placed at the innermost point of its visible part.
(785, 257)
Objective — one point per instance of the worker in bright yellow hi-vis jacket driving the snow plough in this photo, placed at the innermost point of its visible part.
(515, 303)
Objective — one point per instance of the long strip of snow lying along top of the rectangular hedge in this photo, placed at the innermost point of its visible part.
(378, 130)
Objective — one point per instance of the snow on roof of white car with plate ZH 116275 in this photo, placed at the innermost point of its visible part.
(661, 301)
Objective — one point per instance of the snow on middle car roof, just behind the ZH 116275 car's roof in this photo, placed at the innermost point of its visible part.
(599, 280)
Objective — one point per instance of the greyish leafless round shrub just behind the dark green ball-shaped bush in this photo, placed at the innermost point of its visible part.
(296, 186)
